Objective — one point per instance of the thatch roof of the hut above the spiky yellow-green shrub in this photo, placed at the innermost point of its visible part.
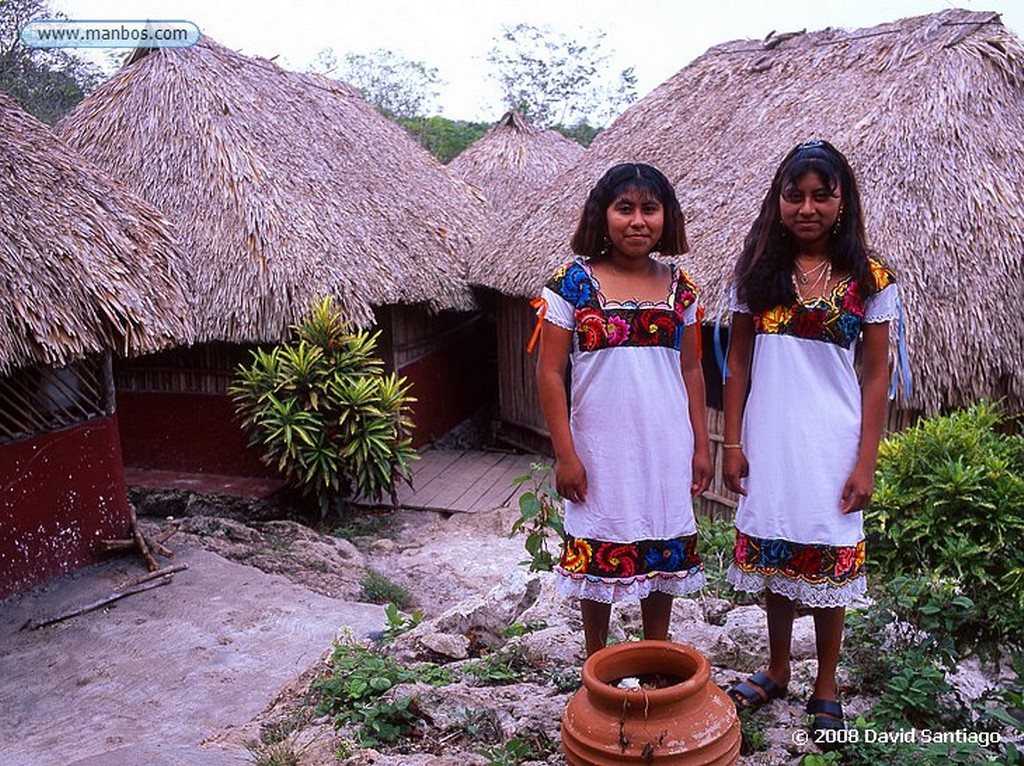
(285, 187)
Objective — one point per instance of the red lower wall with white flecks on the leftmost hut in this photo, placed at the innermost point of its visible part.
(60, 493)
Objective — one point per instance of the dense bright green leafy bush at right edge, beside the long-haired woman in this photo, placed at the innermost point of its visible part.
(950, 502)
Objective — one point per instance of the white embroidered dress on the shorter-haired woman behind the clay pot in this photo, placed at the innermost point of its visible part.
(630, 421)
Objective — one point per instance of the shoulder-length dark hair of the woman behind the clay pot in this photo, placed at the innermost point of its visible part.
(592, 231)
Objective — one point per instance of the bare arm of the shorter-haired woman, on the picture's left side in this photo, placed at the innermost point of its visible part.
(552, 361)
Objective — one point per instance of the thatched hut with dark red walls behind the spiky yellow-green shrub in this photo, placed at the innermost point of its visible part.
(284, 187)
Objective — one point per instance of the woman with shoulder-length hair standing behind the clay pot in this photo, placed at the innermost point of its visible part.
(630, 437)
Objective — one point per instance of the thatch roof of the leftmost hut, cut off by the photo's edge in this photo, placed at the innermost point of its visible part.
(86, 266)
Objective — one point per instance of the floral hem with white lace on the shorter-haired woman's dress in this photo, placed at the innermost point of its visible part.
(607, 572)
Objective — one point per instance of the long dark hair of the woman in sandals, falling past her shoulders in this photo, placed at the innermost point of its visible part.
(764, 272)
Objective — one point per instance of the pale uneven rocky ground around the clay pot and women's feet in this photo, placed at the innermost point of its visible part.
(514, 646)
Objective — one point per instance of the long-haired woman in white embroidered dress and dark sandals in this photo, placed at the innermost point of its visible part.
(805, 406)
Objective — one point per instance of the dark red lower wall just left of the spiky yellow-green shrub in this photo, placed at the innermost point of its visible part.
(188, 433)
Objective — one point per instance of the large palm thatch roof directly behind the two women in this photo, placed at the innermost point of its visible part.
(929, 110)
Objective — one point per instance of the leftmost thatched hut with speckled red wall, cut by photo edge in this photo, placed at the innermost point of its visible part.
(87, 270)
